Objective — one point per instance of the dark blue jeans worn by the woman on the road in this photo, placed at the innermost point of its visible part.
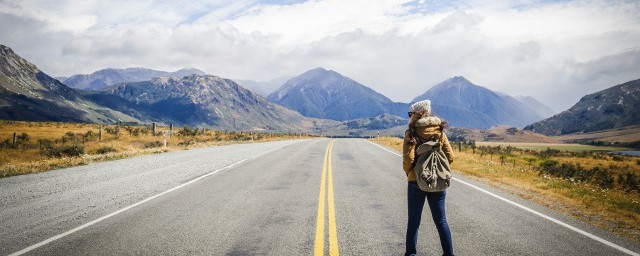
(415, 200)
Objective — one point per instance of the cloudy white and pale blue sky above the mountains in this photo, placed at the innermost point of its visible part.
(554, 51)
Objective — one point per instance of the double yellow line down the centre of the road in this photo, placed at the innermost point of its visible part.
(333, 232)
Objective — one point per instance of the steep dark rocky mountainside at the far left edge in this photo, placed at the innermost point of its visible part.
(27, 93)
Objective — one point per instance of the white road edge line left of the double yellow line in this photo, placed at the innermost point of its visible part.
(54, 238)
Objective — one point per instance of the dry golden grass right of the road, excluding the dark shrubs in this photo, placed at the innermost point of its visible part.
(611, 209)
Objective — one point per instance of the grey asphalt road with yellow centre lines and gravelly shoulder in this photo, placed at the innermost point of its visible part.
(266, 199)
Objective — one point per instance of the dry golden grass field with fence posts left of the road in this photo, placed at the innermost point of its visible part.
(43, 146)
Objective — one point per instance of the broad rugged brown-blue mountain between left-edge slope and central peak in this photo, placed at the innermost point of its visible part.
(200, 100)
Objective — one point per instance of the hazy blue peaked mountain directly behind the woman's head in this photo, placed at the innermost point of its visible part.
(465, 104)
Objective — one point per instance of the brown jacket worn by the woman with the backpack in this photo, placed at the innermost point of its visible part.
(424, 128)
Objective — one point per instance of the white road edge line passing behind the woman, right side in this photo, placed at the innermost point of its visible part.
(580, 231)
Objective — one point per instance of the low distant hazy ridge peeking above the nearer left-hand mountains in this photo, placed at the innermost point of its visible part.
(106, 77)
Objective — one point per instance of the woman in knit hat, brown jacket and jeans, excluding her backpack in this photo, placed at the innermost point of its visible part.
(428, 127)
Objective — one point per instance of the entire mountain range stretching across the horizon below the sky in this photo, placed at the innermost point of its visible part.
(317, 101)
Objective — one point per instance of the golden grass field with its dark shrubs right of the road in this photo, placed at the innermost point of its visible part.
(592, 187)
